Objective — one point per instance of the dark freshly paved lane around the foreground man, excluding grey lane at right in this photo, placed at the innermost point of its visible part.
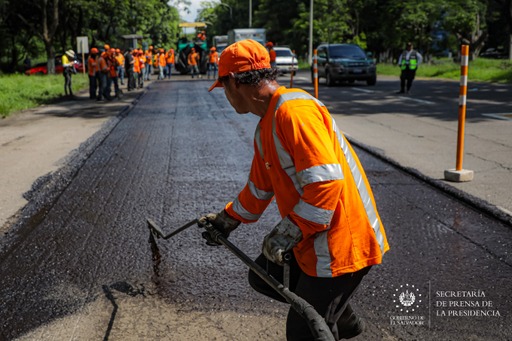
(181, 151)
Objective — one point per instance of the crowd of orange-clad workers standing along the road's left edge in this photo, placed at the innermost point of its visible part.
(111, 67)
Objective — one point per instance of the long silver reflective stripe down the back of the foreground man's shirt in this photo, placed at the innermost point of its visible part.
(361, 186)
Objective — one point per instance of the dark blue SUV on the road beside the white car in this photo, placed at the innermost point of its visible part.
(345, 63)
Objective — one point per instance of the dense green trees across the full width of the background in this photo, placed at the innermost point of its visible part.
(41, 29)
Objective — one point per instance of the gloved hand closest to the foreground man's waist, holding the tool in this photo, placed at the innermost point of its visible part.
(281, 240)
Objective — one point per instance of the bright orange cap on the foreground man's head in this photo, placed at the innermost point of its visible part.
(245, 55)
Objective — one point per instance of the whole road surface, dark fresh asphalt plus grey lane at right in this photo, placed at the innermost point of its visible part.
(180, 151)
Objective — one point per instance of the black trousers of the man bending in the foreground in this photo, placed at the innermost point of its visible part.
(329, 296)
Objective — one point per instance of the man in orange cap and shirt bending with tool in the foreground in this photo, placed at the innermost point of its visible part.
(329, 220)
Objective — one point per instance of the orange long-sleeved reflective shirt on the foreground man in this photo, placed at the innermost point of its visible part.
(304, 161)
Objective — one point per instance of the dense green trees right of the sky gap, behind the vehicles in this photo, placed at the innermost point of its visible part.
(436, 27)
